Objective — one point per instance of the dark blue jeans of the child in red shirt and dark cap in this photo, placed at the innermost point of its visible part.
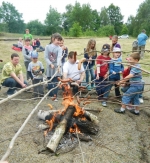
(102, 89)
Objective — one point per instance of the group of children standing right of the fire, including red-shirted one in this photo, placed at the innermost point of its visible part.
(108, 73)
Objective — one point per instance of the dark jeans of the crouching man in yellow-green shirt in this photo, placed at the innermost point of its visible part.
(12, 84)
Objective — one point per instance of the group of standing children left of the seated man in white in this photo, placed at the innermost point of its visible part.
(54, 55)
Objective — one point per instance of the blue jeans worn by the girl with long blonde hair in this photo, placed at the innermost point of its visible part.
(91, 71)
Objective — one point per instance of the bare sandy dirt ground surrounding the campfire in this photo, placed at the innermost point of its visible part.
(121, 139)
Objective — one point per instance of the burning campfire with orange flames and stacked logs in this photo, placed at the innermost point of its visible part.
(72, 120)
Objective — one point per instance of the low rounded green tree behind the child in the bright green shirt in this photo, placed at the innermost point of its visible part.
(36, 27)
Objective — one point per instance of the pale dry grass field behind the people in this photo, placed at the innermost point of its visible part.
(73, 45)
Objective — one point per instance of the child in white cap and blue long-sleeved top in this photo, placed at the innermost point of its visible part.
(115, 68)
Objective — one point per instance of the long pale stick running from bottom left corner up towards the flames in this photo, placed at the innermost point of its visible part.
(11, 145)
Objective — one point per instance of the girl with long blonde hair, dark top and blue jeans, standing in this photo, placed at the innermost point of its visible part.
(89, 65)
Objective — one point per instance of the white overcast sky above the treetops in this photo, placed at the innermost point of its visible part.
(37, 9)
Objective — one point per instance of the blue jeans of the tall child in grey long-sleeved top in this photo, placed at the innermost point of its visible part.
(51, 85)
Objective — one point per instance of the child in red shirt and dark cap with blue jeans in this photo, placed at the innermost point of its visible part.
(102, 73)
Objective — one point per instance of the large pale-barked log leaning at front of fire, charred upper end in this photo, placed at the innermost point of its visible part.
(61, 129)
